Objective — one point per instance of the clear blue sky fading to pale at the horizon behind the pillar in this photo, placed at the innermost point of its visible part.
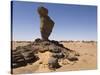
(72, 22)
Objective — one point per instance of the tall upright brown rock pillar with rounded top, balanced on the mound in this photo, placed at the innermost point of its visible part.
(46, 24)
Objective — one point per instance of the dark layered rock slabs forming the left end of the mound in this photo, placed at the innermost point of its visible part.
(21, 56)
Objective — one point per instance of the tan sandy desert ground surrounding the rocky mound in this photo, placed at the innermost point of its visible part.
(87, 59)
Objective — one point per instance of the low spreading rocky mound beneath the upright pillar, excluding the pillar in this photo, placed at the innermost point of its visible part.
(28, 54)
